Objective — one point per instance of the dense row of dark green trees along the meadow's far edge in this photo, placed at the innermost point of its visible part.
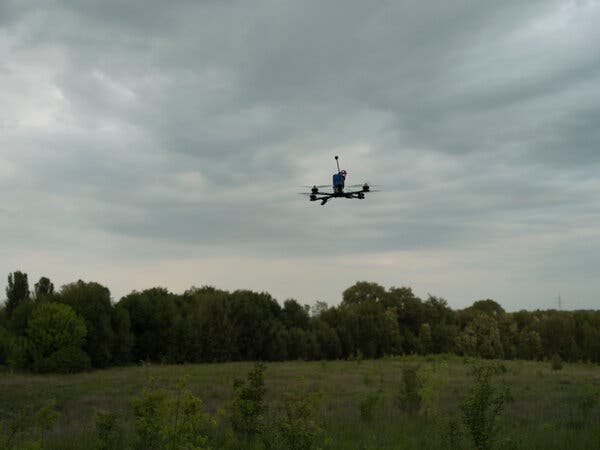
(78, 327)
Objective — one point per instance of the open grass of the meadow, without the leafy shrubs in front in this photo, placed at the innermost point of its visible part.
(544, 409)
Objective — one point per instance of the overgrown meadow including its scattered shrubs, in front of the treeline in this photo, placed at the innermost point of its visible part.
(308, 405)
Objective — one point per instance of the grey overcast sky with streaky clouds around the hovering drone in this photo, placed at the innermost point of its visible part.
(158, 143)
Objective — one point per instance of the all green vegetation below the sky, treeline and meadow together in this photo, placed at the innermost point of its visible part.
(391, 371)
